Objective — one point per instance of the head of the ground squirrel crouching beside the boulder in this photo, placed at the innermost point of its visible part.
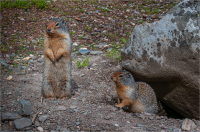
(122, 77)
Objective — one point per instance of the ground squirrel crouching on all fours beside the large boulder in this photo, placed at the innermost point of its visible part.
(138, 96)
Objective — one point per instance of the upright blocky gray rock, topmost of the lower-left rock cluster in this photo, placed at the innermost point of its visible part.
(24, 107)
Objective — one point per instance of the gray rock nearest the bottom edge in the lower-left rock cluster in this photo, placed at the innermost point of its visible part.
(22, 123)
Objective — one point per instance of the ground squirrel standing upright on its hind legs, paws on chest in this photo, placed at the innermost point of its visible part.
(57, 58)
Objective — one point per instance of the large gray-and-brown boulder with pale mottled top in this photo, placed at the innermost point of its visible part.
(165, 54)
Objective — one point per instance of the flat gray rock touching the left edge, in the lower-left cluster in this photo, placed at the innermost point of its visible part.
(10, 116)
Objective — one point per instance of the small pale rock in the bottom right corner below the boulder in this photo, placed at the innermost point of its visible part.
(188, 125)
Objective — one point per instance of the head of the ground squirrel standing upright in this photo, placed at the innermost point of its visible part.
(55, 27)
